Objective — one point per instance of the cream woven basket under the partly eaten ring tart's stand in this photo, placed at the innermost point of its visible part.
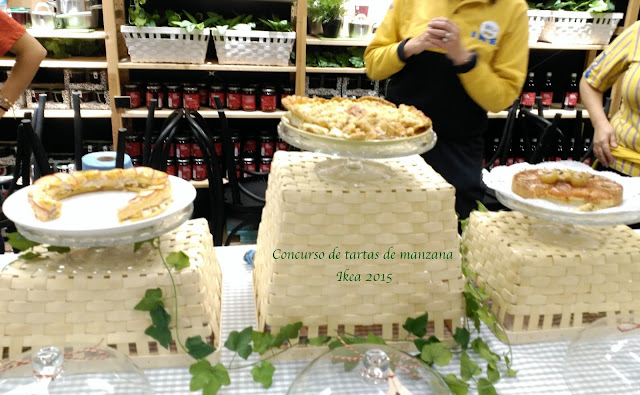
(41, 305)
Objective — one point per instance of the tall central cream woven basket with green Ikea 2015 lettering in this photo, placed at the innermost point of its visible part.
(411, 212)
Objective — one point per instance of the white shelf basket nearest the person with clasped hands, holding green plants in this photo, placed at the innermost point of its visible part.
(254, 47)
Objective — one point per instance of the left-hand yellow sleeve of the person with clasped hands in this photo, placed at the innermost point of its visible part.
(381, 56)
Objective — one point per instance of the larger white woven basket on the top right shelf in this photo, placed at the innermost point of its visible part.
(580, 28)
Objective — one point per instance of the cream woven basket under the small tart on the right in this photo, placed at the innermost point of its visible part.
(544, 292)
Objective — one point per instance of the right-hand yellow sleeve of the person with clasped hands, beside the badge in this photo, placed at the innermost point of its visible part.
(495, 85)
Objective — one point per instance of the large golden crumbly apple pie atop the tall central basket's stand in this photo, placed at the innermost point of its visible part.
(365, 118)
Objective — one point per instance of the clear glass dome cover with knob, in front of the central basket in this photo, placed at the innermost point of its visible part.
(366, 369)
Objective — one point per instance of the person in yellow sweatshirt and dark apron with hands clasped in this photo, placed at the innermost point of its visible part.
(454, 60)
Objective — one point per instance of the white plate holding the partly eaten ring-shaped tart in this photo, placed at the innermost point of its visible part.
(94, 215)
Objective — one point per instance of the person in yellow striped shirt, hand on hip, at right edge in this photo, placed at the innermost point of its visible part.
(616, 143)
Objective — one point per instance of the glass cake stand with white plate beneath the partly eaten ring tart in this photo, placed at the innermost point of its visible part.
(89, 221)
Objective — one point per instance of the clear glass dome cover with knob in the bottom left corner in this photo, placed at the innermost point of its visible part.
(78, 370)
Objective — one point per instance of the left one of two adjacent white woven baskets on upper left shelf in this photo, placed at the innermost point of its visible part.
(165, 44)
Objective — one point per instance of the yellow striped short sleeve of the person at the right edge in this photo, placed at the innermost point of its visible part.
(613, 61)
